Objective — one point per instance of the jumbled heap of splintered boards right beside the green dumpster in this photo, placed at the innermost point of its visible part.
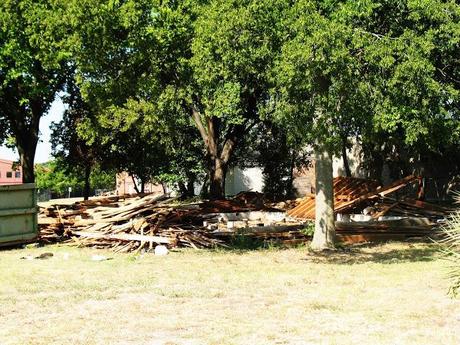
(124, 226)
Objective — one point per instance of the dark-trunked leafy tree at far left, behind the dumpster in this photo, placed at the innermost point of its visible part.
(32, 71)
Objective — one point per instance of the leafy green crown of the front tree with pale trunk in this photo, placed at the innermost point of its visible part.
(352, 68)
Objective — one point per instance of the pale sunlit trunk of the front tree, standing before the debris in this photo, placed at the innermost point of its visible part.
(324, 236)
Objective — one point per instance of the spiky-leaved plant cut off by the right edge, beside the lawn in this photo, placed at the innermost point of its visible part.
(451, 247)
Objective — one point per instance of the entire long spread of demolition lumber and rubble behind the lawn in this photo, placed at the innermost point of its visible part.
(365, 212)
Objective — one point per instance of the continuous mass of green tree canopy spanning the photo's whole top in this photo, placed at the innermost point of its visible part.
(174, 89)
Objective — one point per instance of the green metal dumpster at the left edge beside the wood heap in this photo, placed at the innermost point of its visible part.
(18, 214)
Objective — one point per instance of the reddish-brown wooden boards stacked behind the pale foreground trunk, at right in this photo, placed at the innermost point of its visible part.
(360, 196)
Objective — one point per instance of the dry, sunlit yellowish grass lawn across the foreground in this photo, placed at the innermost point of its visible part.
(386, 294)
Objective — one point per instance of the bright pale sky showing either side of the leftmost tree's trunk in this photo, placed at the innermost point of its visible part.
(43, 153)
